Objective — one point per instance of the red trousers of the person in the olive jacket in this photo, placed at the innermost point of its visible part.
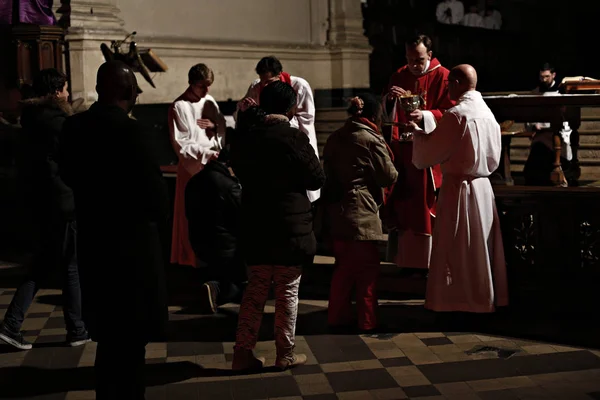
(356, 266)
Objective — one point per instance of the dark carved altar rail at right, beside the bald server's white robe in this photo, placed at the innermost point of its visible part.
(552, 245)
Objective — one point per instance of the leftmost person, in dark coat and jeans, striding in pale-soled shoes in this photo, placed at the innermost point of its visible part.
(50, 205)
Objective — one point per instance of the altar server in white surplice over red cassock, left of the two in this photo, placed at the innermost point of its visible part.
(197, 131)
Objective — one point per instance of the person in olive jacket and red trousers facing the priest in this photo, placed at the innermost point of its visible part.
(359, 167)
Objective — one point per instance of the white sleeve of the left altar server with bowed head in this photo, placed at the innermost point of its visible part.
(192, 141)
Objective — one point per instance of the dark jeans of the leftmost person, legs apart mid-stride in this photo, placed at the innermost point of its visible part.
(56, 250)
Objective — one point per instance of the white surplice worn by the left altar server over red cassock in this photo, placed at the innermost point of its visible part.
(194, 147)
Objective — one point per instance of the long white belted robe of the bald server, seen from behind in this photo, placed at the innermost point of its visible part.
(468, 269)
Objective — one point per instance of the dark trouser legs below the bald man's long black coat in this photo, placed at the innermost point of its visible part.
(119, 370)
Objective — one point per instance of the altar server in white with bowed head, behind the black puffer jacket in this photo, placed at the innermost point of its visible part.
(269, 69)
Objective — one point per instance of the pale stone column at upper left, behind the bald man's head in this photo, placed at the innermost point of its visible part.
(90, 24)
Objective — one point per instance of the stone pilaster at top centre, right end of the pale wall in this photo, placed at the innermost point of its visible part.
(349, 46)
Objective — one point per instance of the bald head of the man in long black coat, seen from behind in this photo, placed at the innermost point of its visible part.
(116, 84)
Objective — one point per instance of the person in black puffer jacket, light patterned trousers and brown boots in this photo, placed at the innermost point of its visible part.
(276, 165)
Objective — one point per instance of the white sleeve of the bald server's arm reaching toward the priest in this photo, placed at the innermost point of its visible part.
(436, 147)
